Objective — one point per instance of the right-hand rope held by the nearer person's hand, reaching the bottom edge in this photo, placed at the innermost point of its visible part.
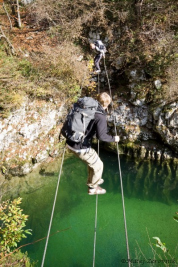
(120, 173)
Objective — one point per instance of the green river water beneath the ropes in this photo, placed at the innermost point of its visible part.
(151, 201)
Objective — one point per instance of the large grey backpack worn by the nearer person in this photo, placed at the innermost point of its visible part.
(78, 119)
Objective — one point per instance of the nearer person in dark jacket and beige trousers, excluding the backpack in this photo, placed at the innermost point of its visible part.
(86, 153)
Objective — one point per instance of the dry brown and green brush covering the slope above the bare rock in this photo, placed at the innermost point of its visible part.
(41, 57)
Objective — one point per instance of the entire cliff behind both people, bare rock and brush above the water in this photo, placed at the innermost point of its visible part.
(46, 64)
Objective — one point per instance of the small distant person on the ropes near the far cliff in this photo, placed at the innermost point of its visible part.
(101, 50)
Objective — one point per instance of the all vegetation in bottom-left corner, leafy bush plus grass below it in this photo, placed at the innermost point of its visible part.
(12, 223)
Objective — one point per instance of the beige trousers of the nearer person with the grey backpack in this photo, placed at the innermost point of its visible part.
(95, 165)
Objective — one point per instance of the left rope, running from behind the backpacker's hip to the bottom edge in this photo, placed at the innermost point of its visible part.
(52, 213)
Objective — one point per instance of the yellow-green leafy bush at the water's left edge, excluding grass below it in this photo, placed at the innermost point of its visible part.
(12, 224)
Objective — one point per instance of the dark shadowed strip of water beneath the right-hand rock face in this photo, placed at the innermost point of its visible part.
(145, 180)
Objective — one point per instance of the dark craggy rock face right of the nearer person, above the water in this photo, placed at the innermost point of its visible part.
(145, 132)
